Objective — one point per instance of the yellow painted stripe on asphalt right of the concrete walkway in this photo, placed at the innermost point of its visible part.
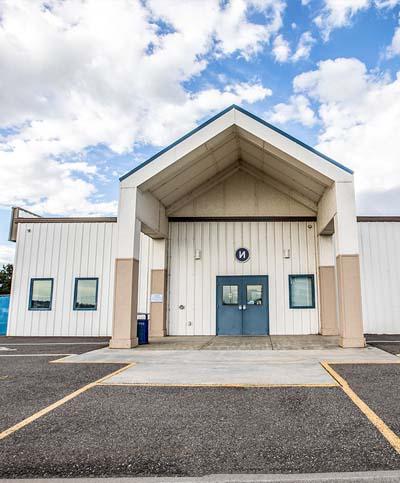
(391, 437)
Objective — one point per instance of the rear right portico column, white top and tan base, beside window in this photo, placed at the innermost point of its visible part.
(327, 286)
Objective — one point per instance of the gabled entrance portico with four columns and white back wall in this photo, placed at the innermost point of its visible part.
(238, 182)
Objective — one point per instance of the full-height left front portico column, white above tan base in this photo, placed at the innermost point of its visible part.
(124, 332)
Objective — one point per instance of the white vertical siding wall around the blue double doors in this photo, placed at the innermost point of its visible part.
(192, 283)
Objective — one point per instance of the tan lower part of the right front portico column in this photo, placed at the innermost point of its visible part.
(349, 298)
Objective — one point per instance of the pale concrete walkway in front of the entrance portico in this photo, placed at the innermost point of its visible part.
(243, 367)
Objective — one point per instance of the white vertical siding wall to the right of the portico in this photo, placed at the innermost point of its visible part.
(380, 276)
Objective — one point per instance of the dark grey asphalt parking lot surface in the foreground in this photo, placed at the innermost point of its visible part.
(115, 431)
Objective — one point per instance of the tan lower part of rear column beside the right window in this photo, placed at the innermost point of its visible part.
(327, 291)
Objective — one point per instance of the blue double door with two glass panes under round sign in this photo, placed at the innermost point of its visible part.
(242, 305)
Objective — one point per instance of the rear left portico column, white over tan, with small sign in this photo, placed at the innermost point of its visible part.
(158, 290)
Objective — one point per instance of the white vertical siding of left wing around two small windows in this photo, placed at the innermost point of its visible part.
(64, 251)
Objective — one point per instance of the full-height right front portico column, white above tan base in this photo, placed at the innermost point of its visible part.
(348, 268)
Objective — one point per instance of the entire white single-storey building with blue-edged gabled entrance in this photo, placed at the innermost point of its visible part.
(237, 228)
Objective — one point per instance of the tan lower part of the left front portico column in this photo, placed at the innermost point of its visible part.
(124, 334)
